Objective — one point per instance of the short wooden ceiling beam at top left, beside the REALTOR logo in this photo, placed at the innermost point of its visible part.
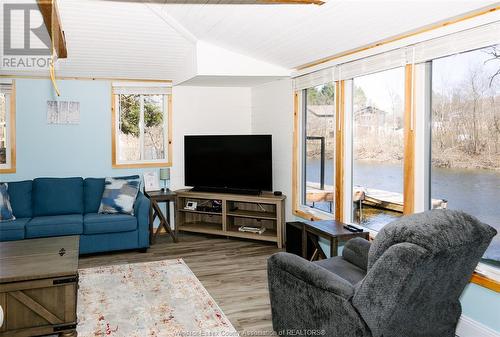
(52, 21)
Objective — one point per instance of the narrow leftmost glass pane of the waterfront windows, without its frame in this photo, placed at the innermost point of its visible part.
(319, 147)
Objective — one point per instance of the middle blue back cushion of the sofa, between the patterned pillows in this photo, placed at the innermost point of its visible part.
(57, 196)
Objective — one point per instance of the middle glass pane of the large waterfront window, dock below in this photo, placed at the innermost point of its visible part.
(378, 147)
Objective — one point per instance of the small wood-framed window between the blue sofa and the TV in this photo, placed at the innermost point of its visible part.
(141, 125)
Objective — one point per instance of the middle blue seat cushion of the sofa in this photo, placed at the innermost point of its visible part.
(55, 225)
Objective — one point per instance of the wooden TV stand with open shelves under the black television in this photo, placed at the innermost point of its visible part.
(265, 210)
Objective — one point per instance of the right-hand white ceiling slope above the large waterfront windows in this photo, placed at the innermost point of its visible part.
(290, 36)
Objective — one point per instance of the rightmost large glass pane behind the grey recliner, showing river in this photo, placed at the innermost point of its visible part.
(465, 169)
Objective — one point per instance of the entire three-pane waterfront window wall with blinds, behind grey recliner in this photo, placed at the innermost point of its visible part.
(415, 128)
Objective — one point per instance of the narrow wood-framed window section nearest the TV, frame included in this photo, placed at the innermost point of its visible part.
(316, 151)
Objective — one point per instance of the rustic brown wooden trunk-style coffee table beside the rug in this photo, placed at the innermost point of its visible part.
(38, 286)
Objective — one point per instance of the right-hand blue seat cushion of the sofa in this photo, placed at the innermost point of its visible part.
(94, 223)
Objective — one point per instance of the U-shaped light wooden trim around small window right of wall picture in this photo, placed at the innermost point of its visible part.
(115, 164)
